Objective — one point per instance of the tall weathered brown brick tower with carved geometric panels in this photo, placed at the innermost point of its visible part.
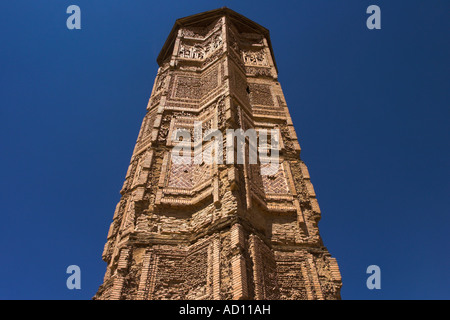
(216, 230)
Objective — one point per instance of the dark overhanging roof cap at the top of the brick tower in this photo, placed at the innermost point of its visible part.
(241, 22)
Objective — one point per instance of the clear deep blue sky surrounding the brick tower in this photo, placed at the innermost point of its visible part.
(371, 110)
